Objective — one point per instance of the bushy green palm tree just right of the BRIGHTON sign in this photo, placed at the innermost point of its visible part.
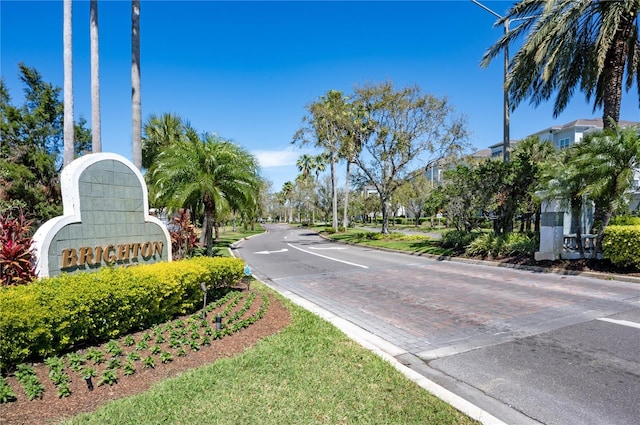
(208, 171)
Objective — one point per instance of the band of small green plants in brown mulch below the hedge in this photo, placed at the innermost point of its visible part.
(157, 345)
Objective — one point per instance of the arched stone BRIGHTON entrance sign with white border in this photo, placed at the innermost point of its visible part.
(106, 220)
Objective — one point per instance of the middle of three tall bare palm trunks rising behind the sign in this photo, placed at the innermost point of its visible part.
(96, 138)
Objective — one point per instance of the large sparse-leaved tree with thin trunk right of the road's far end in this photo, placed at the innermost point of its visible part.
(406, 128)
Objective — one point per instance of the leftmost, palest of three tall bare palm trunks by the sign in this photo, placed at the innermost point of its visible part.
(68, 127)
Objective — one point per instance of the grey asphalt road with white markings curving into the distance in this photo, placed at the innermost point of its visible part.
(526, 347)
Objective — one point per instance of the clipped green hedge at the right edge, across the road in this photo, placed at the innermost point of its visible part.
(621, 245)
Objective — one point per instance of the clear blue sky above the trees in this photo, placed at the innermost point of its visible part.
(246, 70)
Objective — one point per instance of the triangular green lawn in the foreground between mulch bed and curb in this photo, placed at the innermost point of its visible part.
(309, 373)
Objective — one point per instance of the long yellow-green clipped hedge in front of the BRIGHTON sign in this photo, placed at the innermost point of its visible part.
(53, 315)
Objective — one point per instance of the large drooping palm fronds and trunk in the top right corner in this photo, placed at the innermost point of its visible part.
(573, 44)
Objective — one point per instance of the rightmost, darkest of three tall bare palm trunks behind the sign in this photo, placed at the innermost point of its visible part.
(136, 107)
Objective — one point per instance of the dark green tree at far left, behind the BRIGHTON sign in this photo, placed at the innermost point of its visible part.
(30, 147)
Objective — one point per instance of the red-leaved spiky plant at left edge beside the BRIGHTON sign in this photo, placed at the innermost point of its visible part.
(16, 255)
